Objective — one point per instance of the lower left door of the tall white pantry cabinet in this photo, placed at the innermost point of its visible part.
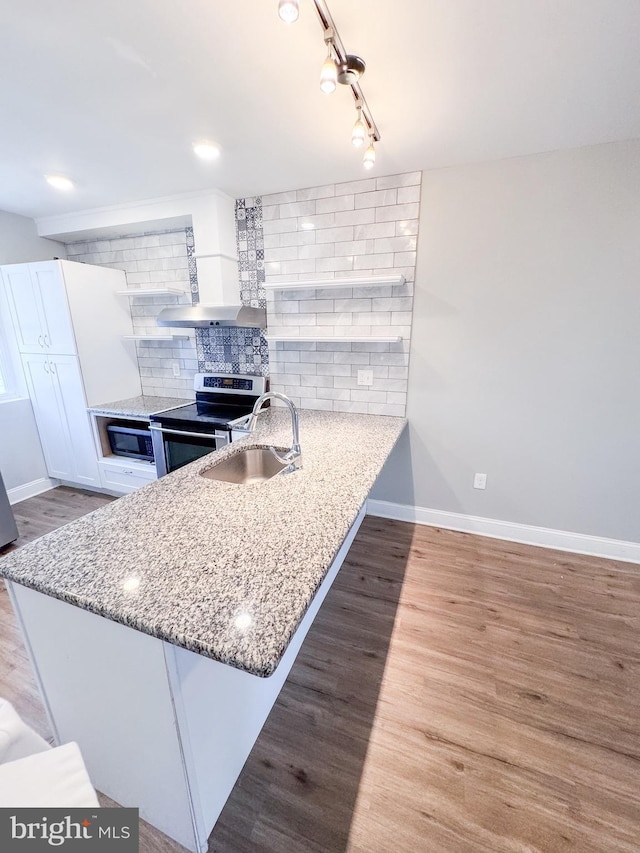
(50, 416)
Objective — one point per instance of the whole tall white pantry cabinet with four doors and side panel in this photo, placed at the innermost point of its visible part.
(69, 325)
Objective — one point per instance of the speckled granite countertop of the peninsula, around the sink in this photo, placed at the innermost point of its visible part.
(227, 571)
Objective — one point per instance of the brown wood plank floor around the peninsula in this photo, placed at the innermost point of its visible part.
(455, 693)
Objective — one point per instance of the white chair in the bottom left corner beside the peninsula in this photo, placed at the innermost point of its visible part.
(34, 774)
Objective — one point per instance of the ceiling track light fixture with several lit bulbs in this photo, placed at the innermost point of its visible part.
(340, 67)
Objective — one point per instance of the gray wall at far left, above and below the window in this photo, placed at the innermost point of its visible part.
(21, 459)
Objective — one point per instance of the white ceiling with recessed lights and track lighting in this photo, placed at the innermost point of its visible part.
(113, 93)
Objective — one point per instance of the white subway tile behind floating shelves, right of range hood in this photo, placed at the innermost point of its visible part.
(364, 227)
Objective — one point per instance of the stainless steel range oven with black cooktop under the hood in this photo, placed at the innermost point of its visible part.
(186, 433)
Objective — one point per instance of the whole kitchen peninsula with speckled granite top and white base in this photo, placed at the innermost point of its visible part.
(208, 590)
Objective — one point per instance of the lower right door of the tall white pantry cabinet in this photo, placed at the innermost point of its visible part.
(68, 380)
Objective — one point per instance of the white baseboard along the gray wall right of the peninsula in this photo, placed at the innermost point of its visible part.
(545, 537)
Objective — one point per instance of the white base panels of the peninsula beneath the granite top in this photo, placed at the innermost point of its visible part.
(160, 727)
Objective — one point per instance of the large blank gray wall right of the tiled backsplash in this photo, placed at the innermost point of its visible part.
(525, 357)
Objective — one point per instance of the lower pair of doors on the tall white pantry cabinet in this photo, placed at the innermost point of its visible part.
(57, 394)
